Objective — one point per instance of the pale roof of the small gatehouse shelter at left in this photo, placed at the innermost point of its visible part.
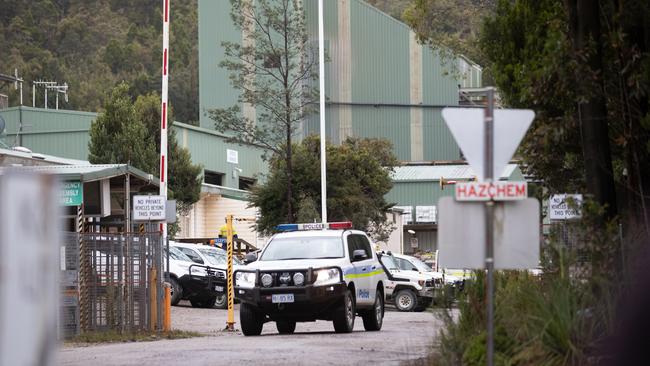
(88, 173)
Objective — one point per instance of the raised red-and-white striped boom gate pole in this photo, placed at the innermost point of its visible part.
(164, 160)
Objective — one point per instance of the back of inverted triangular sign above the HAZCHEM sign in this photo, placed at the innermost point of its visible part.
(467, 125)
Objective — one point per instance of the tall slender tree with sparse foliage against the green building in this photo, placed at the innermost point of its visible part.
(273, 70)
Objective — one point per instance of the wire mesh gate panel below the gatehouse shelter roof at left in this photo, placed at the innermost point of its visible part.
(115, 281)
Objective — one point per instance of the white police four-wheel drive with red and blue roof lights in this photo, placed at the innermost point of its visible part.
(317, 272)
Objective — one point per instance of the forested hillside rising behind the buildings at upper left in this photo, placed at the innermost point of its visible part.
(94, 45)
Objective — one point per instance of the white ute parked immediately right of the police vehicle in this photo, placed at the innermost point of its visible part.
(408, 290)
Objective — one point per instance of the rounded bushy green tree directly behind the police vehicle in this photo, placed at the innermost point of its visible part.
(358, 178)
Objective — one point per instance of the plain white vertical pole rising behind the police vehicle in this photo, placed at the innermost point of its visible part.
(321, 91)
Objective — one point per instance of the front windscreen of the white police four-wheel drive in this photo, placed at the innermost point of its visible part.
(303, 248)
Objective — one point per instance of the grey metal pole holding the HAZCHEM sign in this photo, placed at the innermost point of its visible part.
(489, 223)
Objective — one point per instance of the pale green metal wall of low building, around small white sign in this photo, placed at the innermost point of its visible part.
(209, 149)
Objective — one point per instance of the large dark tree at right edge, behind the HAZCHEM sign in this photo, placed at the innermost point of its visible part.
(582, 65)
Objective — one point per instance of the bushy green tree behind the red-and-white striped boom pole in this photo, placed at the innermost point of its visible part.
(129, 132)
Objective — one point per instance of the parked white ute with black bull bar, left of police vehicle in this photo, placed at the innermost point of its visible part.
(206, 281)
